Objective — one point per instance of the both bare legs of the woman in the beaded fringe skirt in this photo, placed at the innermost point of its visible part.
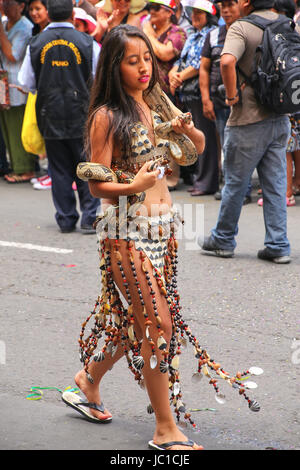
(157, 383)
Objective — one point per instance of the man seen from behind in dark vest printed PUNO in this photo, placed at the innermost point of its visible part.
(59, 64)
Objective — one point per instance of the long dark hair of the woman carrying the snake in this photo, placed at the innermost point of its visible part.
(107, 89)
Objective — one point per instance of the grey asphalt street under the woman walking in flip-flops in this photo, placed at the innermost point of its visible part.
(244, 311)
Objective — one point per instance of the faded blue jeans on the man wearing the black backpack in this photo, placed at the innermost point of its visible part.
(263, 146)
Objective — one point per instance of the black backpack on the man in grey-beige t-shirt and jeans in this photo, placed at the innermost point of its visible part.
(276, 69)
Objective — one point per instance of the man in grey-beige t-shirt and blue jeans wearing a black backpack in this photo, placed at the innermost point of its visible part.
(256, 136)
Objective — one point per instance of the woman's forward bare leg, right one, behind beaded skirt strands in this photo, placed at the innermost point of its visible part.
(157, 383)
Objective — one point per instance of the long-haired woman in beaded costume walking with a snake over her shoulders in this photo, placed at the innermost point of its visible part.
(129, 116)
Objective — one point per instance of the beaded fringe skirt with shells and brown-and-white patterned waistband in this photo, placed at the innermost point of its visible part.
(154, 238)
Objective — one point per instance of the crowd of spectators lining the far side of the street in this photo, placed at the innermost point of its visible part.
(187, 39)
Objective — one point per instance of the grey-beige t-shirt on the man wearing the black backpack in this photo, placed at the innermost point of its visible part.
(241, 41)
